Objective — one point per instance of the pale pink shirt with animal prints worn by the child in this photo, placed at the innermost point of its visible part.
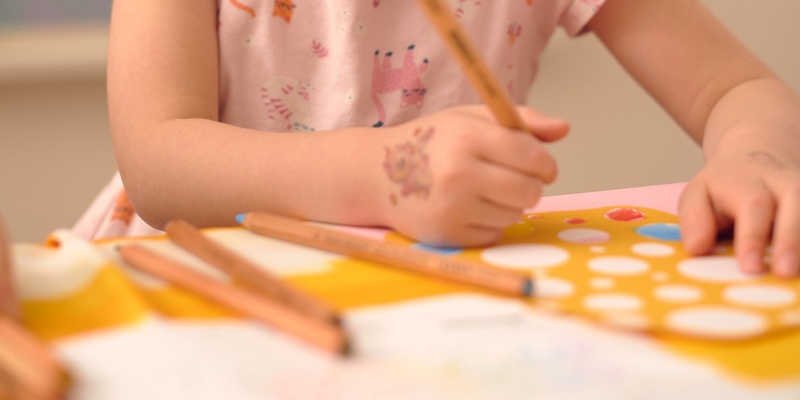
(310, 65)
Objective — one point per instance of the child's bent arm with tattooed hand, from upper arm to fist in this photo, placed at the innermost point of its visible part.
(464, 179)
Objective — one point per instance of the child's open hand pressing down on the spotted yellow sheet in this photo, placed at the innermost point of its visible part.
(761, 194)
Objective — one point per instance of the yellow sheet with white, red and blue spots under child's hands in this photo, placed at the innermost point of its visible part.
(625, 266)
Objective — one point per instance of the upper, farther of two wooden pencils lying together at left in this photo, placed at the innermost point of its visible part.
(247, 273)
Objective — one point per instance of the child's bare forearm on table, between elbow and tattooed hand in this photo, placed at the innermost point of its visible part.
(206, 172)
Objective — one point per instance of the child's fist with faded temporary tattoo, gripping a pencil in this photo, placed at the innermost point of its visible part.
(458, 178)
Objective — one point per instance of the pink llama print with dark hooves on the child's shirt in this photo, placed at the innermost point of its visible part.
(405, 79)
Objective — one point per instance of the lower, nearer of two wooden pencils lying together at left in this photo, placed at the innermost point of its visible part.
(323, 335)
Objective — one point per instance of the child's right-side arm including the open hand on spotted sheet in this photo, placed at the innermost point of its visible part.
(747, 120)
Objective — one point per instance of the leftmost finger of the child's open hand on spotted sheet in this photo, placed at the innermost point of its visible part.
(697, 219)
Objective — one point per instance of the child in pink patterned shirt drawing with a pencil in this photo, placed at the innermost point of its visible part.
(354, 112)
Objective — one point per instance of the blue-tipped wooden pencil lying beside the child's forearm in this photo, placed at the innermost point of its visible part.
(463, 271)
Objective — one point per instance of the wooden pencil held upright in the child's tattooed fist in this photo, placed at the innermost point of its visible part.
(494, 95)
